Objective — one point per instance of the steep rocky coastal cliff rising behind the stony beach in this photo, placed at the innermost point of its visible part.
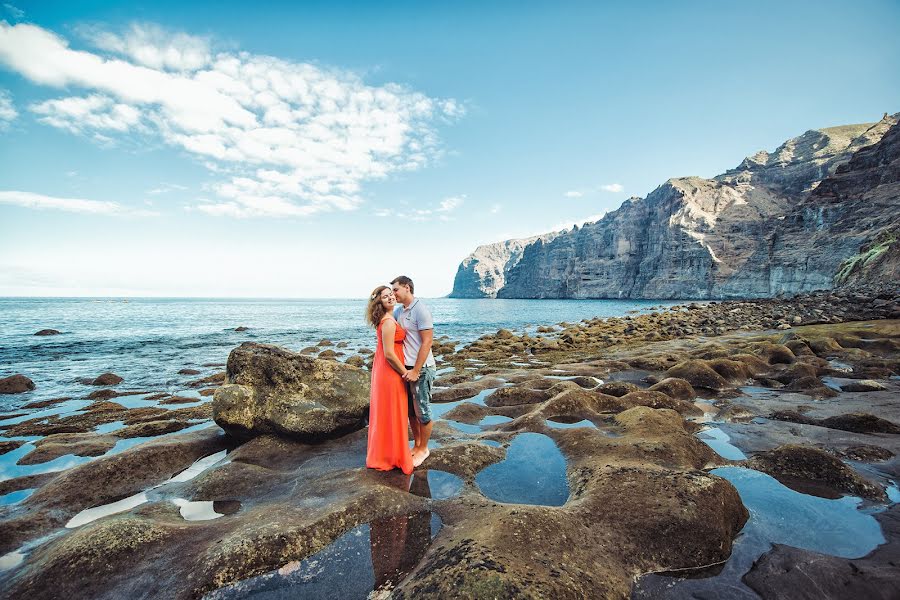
(780, 222)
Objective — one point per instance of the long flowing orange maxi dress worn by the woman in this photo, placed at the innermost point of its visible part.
(388, 445)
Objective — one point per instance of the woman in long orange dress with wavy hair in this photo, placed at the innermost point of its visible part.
(388, 422)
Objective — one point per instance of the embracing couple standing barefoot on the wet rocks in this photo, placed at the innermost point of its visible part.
(403, 372)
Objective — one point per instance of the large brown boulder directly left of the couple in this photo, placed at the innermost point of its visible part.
(273, 390)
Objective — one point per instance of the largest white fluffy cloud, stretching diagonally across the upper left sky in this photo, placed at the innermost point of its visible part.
(290, 139)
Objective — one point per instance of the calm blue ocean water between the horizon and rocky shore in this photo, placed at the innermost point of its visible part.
(148, 340)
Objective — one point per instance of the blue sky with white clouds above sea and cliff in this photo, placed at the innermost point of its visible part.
(318, 149)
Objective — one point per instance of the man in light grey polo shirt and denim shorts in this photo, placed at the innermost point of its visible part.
(416, 319)
